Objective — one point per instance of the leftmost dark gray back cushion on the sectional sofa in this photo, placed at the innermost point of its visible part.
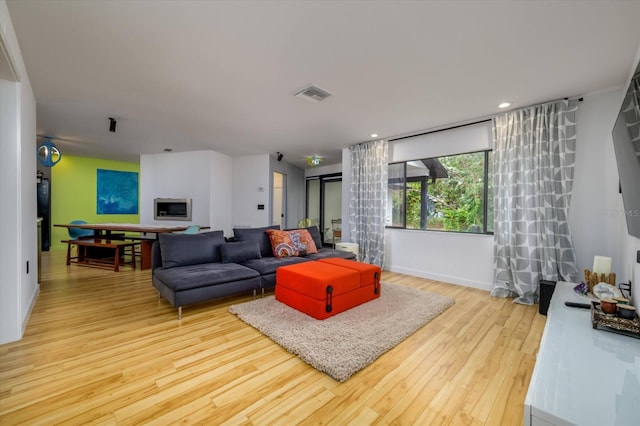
(184, 249)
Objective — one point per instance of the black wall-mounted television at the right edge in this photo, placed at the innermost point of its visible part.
(626, 142)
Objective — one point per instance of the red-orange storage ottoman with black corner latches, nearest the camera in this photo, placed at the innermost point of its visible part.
(321, 289)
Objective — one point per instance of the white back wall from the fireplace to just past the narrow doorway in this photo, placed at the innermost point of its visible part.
(225, 191)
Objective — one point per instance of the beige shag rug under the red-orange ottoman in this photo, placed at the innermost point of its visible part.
(343, 344)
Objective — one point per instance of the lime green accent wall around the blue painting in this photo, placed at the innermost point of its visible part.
(74, 195)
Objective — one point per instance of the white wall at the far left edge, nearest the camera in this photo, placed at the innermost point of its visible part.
(18, 245)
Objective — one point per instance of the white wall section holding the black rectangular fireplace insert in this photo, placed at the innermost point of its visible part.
(203, 176)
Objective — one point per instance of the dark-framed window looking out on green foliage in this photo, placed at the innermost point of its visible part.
(448, 193)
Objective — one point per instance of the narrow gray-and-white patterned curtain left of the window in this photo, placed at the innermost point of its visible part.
(367, 206)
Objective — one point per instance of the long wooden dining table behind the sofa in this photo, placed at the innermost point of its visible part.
(146, 242)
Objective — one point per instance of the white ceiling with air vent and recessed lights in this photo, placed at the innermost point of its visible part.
(219, 75)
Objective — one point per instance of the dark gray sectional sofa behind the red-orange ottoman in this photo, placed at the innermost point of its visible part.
(188, 269)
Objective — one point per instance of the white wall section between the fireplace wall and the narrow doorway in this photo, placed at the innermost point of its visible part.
(251, 183)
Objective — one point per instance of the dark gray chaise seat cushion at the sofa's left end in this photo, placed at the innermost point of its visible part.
(202, 275)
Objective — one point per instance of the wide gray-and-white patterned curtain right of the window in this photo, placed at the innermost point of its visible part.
(534, 156)
